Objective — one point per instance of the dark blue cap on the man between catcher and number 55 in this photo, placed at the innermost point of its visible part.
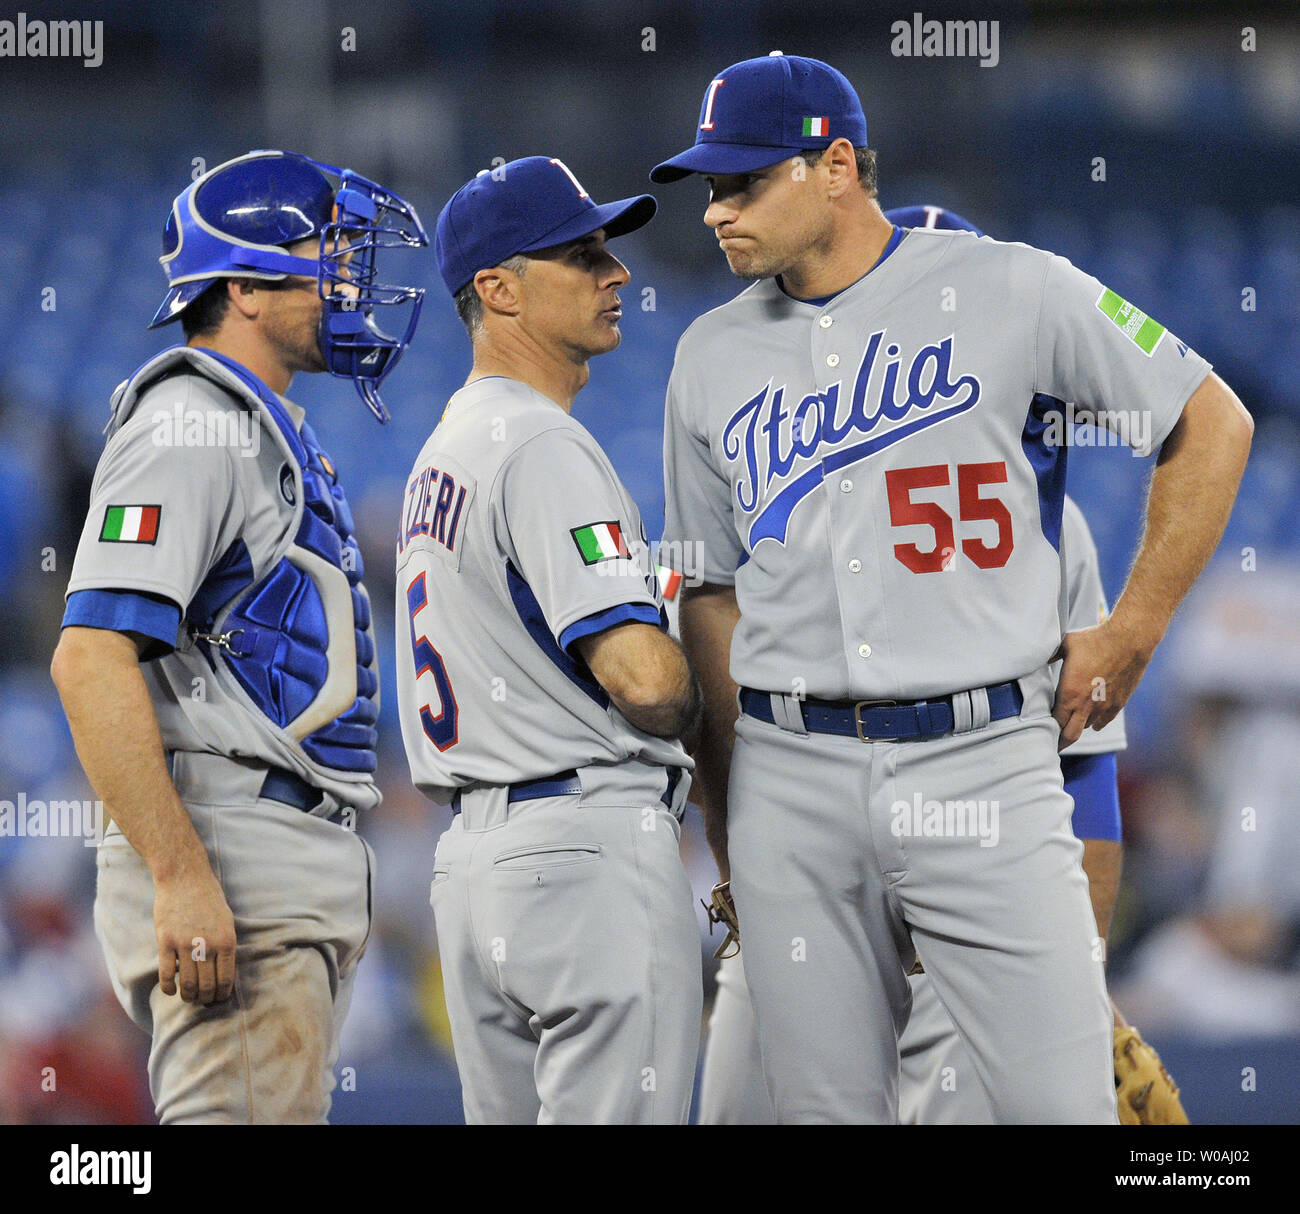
(522, 207)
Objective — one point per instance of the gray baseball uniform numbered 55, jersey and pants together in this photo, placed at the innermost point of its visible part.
(881, 475)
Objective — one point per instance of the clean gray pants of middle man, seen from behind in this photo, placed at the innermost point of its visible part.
(570, 961)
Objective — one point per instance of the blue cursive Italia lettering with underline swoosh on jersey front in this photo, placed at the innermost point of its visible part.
(770, 440)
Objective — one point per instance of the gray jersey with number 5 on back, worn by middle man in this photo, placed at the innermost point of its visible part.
(517, 541)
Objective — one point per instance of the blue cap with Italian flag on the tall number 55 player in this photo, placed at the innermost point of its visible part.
(764, 111)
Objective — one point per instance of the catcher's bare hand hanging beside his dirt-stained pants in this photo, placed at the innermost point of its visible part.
(197, 939)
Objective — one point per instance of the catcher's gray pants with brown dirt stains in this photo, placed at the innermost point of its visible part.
(300, 888)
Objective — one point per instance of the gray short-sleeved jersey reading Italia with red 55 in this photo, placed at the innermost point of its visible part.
(882, 474)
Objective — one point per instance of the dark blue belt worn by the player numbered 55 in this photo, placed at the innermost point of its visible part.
(885, 719)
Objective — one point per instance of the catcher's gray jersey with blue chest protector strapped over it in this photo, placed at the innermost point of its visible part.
(215, 514)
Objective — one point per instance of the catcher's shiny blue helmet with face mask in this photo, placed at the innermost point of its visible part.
(235, 222)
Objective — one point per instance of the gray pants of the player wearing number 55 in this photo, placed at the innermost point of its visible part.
(839, 885)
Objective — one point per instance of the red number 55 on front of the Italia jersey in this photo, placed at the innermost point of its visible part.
(972, 508)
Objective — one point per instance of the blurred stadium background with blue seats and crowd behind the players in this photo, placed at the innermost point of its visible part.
(1194, 218)
